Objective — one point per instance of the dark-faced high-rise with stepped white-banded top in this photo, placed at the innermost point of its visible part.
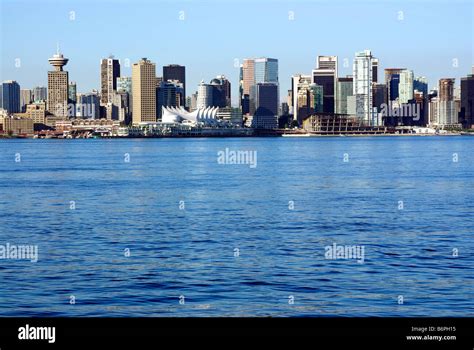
(325, 75)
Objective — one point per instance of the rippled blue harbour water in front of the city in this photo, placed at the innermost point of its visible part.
(191, 252)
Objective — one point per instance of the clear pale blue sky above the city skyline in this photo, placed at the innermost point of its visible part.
(434, 38)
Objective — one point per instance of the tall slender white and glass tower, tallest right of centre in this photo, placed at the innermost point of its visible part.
(362, 79)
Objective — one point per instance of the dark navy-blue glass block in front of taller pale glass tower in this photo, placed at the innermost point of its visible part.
(265, 104)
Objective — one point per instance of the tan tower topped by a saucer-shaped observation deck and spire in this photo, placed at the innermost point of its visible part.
(58, 85)
